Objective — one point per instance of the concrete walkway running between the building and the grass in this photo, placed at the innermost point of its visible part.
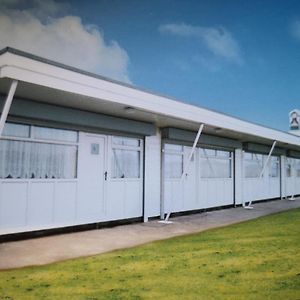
(46, 250)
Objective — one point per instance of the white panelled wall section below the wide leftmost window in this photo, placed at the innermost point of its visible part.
(36, 204)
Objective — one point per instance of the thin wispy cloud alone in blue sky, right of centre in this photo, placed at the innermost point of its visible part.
(217, 40)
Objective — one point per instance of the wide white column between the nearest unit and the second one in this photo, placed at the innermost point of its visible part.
(152, 194)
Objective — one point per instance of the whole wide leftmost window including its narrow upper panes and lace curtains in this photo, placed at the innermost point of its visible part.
(26, 158)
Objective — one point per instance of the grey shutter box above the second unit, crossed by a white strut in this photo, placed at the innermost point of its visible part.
(205, 139)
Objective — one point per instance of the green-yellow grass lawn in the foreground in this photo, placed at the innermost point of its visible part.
(259, 259)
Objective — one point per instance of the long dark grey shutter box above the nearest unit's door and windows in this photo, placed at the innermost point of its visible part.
(48, 113)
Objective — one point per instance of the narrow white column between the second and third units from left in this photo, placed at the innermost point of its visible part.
(239, 177)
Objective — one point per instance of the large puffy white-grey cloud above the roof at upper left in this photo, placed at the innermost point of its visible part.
(34, 26)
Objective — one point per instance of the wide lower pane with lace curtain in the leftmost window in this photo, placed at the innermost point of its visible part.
(37, 160)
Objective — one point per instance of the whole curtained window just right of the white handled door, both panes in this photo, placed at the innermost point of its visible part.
(126, 158)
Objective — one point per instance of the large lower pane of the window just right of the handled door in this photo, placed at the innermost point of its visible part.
(125, 163)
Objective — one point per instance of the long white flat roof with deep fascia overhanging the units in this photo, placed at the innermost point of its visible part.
(34, 70)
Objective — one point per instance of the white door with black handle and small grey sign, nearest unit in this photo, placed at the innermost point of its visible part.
(91, 176)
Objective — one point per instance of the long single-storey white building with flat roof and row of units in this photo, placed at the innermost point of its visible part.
(77, 148)
